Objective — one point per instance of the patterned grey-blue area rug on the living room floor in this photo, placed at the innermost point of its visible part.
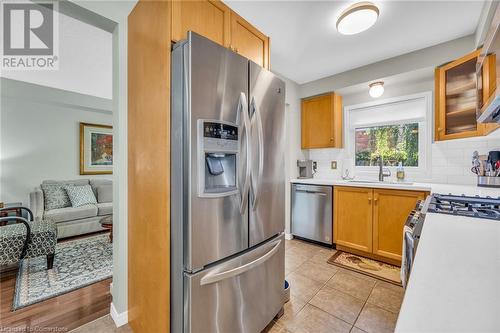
(78, 263)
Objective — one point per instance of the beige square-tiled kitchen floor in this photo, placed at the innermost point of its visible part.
(324, 298)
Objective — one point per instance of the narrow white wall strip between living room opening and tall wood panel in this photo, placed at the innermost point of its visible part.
(118, 11)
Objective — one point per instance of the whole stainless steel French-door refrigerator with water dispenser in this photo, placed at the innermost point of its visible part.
(228, 190)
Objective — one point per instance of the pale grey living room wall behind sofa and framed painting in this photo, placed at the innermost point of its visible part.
(40, 135)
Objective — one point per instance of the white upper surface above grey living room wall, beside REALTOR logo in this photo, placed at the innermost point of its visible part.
(85, 61)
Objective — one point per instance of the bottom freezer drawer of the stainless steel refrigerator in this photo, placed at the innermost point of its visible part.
(242, 294)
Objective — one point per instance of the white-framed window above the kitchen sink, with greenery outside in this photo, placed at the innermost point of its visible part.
(399, 129)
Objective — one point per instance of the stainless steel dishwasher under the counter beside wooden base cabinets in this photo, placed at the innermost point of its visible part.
(312, 212)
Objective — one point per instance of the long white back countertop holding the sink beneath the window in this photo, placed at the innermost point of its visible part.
(431, 187)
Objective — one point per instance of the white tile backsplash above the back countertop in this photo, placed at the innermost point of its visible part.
(450, 160)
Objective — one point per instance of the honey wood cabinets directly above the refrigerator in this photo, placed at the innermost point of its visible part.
(216, 21)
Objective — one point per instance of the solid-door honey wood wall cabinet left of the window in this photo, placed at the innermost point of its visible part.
(322, 121)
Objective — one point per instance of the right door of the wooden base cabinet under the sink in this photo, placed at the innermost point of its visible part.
(390, 210)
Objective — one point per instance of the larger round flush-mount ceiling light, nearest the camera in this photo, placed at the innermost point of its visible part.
(357, 18)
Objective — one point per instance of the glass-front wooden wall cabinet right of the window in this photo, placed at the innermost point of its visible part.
(456, 97)
